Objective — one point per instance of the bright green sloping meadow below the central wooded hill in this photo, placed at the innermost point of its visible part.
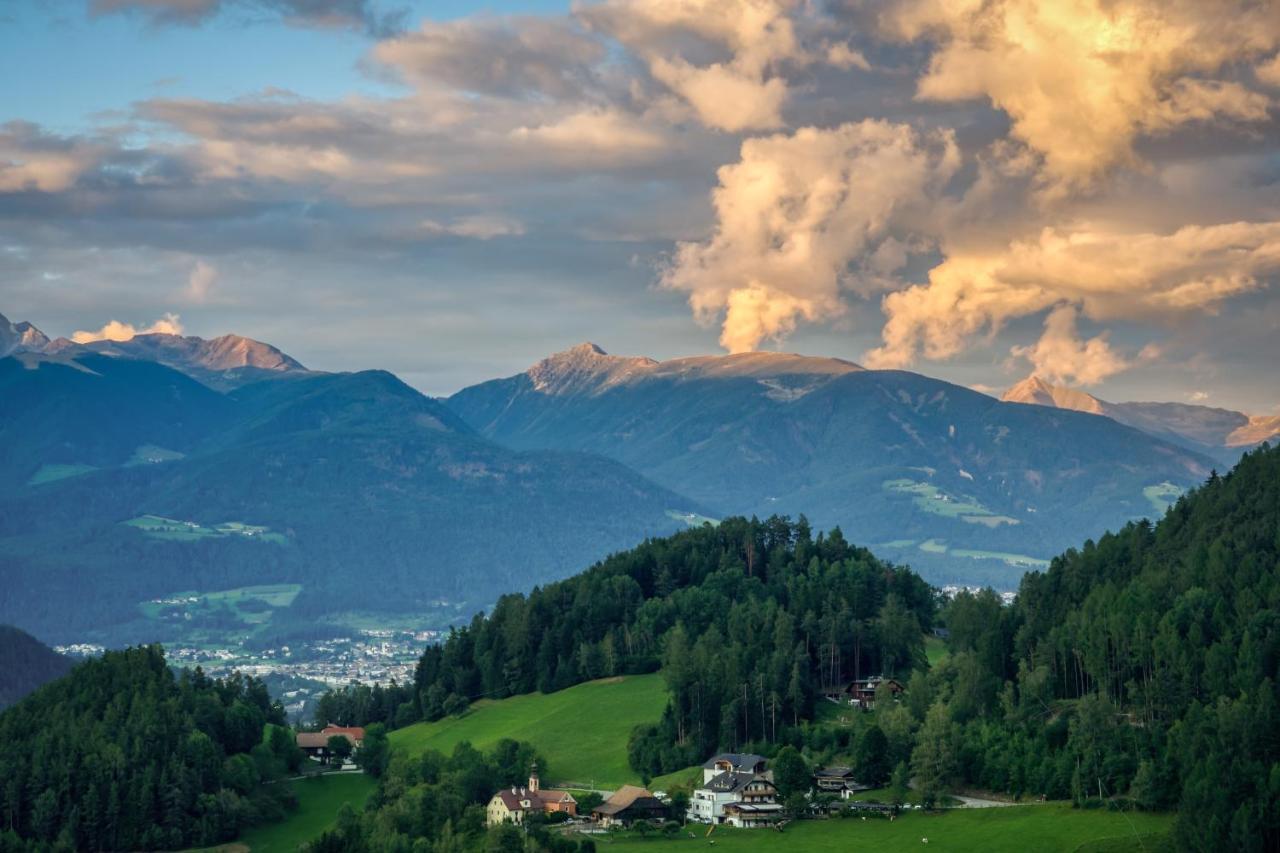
(582, 732)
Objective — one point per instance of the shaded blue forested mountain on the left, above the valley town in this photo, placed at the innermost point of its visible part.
(362, 490)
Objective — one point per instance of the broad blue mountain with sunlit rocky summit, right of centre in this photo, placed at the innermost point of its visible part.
(959, 485)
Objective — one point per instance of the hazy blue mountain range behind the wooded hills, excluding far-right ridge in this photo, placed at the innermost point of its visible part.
(139, 469)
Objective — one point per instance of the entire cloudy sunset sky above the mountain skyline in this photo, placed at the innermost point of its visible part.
(1086, 190)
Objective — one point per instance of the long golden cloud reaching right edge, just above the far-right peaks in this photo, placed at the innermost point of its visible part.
(1112, 275)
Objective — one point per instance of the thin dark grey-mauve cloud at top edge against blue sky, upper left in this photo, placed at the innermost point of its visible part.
(360, 15)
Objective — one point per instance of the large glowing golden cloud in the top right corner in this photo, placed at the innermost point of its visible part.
(1084, 80)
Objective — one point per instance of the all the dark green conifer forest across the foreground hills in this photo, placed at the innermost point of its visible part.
(1139, 672)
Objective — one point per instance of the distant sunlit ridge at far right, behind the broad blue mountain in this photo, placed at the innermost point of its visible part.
(1219, 432)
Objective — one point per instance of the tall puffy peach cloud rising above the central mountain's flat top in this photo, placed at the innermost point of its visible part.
(796, 212)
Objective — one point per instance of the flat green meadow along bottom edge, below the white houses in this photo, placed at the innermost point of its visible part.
(1045, 829)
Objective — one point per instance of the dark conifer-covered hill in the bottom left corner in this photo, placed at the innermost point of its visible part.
(124, 755)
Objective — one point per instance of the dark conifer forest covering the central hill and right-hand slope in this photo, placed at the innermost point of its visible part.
(1139, 672)
